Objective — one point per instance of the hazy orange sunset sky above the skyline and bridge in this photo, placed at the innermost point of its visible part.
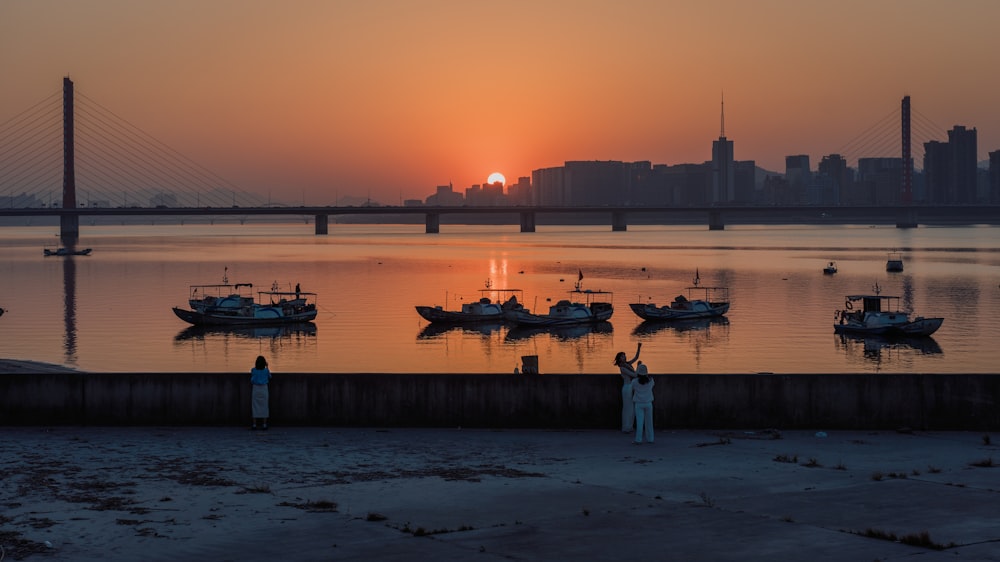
(389, 99)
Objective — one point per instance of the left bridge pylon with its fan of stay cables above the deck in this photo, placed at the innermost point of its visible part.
(113, 162)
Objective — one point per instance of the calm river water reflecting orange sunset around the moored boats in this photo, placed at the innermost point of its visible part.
(111, 311)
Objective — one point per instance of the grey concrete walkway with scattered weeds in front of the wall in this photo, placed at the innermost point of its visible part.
(452, 494)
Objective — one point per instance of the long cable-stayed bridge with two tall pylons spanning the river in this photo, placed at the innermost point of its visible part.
(69, 156)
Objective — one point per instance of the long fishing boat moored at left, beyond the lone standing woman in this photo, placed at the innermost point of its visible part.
(240, 308)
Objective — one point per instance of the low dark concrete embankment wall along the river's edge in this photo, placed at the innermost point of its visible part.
(939, 402)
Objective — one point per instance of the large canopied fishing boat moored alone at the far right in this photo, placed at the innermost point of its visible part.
(879, 314)
